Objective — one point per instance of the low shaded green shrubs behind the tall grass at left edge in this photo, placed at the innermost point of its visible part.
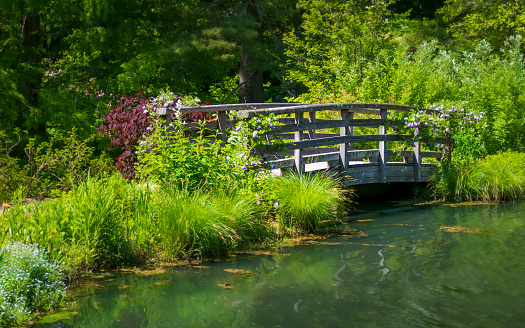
(51, 167)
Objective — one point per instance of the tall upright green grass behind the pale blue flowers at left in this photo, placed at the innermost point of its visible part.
(84, 227)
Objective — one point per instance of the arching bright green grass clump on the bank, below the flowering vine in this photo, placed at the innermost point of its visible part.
(203, 224)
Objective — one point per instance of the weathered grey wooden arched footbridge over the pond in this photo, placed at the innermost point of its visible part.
(312, 149)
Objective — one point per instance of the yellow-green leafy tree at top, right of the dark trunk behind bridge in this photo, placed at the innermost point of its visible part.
(334, 43)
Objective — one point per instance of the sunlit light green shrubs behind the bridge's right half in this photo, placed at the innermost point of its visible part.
(481, 81)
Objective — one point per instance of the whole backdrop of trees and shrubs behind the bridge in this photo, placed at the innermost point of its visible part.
(65, 64)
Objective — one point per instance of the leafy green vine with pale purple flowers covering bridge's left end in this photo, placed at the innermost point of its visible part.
(197, 160)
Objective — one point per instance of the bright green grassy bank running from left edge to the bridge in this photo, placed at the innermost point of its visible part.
(112, 223)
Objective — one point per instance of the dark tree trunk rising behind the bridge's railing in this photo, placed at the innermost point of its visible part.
(250, 75)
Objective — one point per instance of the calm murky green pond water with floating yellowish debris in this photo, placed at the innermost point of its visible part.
(443, 266)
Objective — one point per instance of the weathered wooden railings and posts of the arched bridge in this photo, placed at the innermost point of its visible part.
(345, 139)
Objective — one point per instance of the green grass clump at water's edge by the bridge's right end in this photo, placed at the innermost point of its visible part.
(496, 178)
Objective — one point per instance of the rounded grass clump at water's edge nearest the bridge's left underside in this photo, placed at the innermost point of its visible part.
(305, 201)
